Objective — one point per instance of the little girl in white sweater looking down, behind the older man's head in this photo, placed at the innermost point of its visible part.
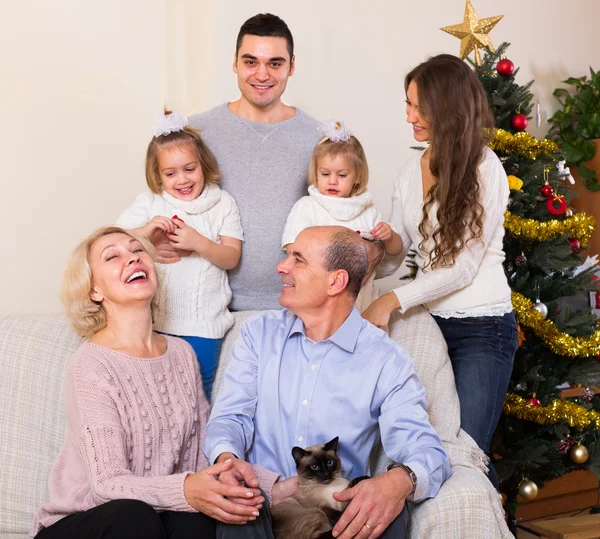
(338, 195)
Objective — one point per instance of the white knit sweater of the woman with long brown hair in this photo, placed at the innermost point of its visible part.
(476, 284)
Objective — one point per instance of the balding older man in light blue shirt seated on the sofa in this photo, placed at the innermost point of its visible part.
(316, 370)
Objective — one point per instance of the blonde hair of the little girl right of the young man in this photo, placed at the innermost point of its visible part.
(352, 150)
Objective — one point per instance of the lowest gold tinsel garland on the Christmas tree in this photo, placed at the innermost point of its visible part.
(557, 411)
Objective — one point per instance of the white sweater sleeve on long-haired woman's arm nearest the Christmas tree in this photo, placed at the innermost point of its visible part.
(440, 282)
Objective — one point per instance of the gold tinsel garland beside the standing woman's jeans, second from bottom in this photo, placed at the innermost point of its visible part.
(559, 342)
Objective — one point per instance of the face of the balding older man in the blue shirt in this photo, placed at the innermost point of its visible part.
(304, 281)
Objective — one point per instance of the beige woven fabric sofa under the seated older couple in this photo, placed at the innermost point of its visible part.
(34, 351)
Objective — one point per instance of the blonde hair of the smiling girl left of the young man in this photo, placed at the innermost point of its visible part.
(188, 135)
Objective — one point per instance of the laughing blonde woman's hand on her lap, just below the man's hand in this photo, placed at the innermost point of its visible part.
(206, 494)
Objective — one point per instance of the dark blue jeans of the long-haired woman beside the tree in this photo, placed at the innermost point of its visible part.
(482, 350)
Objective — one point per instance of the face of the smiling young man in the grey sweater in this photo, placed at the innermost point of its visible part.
(263, 65)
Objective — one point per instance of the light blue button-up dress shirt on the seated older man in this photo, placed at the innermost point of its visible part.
(282, 390)
